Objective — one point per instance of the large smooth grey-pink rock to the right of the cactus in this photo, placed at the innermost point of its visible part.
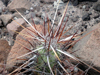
(89, 47)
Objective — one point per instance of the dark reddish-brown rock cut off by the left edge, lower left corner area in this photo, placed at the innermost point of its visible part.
(4, 51)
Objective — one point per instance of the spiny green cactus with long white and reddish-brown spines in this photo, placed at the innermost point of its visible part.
(48, 58)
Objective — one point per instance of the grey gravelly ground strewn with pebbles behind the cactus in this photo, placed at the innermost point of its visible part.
(84, 15)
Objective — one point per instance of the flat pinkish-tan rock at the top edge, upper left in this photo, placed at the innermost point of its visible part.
(19, 5)
